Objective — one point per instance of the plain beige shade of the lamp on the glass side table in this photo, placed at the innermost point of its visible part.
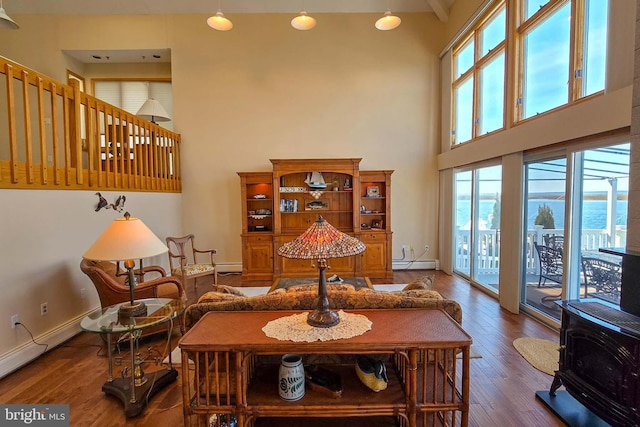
(126, 239)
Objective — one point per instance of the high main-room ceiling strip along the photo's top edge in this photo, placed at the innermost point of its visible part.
(148, 7)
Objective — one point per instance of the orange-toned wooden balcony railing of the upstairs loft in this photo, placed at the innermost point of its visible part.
(53, 136)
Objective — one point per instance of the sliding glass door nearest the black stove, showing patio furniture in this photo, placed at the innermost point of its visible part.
(563, 256)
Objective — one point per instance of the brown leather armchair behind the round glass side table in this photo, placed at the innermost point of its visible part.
(113, 289)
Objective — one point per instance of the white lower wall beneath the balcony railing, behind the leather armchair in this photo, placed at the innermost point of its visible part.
(44, 234)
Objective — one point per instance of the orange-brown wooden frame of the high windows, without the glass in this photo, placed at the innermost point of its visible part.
(517, 27)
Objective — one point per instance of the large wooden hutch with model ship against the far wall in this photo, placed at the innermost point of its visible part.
(278, 206)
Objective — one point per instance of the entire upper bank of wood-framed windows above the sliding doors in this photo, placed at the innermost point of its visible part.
(559, 51)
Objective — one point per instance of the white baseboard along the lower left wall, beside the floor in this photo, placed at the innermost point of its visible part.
(29, 351)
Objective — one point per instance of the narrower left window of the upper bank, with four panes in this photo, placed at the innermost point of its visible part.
(479, 79)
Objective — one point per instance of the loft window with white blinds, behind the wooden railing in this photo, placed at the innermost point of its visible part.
(130, 95)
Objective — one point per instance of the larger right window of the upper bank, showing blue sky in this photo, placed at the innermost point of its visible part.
(563, 45)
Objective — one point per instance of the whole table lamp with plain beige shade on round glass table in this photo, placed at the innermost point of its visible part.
(127, 239)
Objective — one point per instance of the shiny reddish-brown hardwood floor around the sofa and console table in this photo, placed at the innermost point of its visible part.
(503, 384)
